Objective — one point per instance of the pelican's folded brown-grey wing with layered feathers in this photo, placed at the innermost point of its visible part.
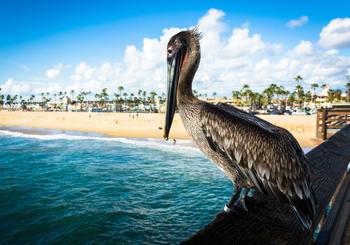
(266, 155)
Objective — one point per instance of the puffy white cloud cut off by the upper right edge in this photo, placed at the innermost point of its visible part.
(336, 34)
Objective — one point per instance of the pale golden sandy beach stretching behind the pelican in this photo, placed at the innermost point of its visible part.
(145, 125)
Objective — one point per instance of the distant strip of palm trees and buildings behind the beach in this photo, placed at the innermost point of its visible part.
(121, 100)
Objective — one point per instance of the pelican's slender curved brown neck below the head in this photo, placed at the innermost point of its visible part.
(188, 70)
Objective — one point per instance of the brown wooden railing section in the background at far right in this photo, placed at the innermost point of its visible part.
(331, 118)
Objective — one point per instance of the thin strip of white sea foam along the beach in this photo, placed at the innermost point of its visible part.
(181, 145)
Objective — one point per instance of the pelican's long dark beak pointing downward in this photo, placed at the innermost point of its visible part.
(174, 66)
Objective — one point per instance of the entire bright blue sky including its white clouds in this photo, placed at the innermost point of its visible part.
(52, 46)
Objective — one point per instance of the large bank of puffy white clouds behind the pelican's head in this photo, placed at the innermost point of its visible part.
(231, 57)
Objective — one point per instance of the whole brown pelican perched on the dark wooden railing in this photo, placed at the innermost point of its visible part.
(252, 152)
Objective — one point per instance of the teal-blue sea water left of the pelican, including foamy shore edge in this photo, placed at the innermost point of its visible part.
(72, 188)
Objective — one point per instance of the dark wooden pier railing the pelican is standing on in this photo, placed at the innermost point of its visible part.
(271, 222)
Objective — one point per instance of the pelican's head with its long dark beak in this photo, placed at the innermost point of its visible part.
(179, 50)
